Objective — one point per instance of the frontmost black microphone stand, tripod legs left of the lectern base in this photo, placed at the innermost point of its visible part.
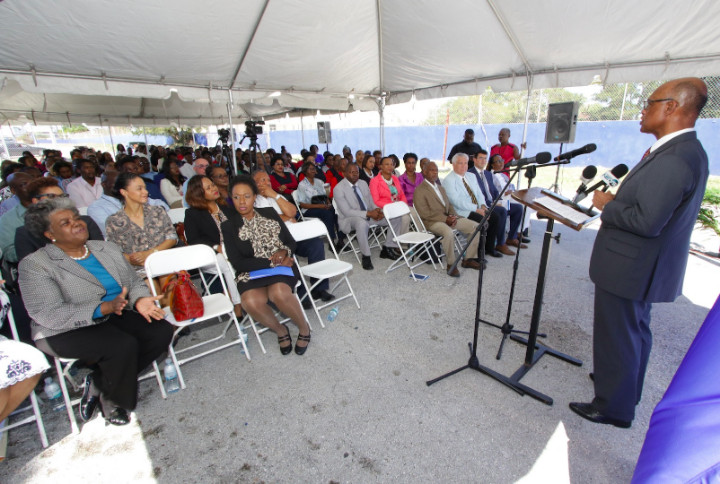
(473, 362)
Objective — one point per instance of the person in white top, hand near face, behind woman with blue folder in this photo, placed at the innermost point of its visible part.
(311, 248)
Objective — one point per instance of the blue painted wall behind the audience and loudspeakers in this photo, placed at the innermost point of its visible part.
(617, 141)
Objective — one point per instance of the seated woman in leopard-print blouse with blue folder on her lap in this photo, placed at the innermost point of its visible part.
(259, 247)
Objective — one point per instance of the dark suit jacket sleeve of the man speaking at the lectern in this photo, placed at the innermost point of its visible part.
(664, 188)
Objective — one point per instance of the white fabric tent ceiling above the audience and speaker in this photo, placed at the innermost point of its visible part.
(102, 57)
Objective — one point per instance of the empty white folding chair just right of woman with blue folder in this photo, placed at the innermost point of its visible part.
(321, 270)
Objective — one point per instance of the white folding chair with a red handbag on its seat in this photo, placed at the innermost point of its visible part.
(216, 305)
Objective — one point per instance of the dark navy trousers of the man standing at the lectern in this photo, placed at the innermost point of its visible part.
(621, 348)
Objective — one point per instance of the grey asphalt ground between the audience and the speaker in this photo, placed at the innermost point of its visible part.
(356, 407)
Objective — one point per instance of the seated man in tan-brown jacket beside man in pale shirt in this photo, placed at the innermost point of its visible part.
(439, 217)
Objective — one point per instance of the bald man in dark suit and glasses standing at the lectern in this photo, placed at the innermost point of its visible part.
(641, 249)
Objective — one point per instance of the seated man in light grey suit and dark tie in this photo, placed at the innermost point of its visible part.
(356, 212)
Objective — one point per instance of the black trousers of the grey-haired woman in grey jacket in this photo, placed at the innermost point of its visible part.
(118, 350)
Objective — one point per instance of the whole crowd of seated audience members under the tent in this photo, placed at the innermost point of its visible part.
(48, 245)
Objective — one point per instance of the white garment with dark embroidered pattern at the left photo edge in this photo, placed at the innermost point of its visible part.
(18, 361)
